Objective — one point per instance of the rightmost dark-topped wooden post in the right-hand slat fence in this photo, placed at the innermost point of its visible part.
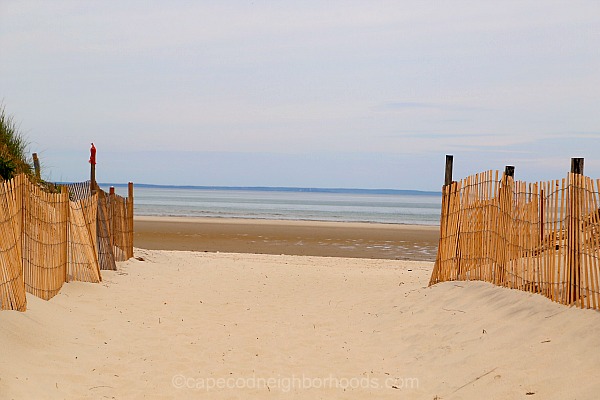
(574, 231)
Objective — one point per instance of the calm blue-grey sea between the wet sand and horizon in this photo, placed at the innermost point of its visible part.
(397, 207)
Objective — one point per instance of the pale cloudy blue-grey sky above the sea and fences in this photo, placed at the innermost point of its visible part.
(352, 94)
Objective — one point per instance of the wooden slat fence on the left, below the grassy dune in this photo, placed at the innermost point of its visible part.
(47, 239)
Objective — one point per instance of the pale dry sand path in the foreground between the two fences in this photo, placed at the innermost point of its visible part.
(227, 325)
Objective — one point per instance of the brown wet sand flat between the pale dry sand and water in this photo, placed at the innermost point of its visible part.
(307, 238)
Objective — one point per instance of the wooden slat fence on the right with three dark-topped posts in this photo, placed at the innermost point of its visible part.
(539, 237)
